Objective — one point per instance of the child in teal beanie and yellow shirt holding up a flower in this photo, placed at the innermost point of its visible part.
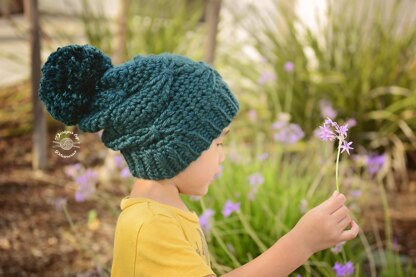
(168, 116)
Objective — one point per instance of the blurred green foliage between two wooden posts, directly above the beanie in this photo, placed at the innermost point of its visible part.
(164, 26)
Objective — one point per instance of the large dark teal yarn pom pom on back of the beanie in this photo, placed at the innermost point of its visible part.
(69, 79)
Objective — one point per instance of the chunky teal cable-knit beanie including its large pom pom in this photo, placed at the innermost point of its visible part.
(161, 111)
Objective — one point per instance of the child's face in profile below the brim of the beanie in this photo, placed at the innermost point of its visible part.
(195, 179)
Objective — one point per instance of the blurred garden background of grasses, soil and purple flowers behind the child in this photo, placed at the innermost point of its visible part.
(291, 64)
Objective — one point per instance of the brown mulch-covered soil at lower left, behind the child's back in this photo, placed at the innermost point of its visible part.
(36, 238)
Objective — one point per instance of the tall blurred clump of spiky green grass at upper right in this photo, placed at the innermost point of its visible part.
(362, 60)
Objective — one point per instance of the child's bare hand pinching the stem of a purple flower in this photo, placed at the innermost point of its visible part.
(323, 226)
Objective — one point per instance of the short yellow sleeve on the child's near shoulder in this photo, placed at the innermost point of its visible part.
(162, 250)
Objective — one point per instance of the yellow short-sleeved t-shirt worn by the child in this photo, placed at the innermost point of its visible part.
(156, 239)
